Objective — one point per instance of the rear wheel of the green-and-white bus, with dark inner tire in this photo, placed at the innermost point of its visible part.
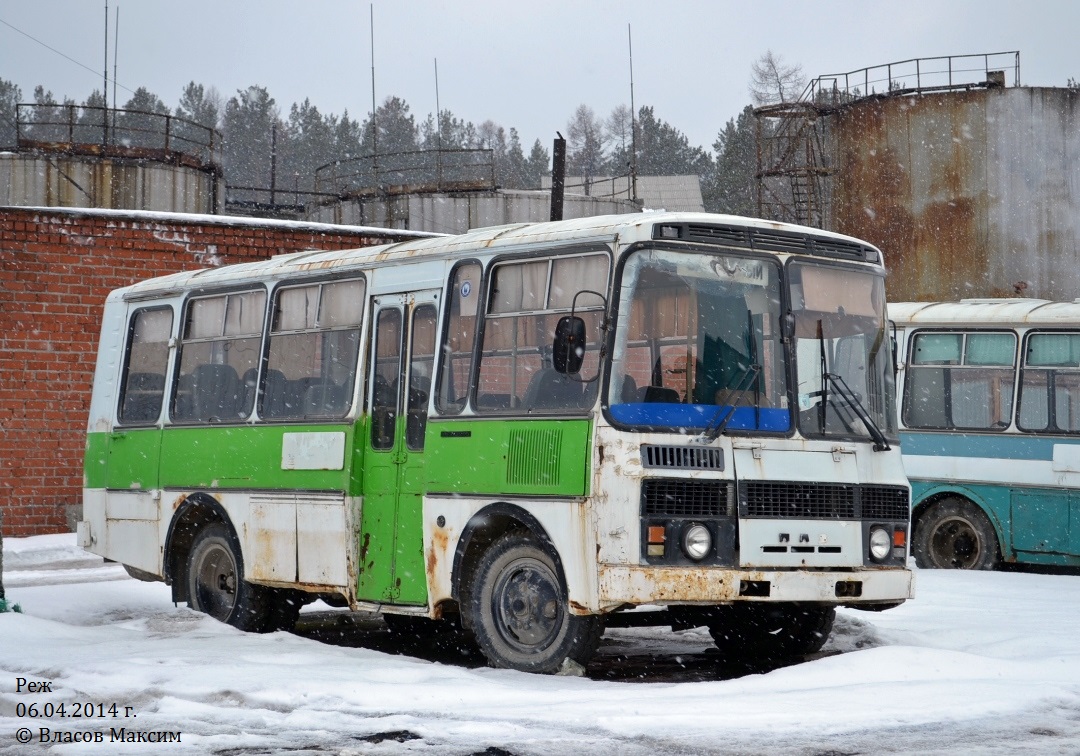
(217, 585)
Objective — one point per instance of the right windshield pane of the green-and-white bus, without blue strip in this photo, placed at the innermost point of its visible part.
(844, 354)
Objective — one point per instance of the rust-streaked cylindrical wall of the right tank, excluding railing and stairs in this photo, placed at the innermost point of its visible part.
(969, 194)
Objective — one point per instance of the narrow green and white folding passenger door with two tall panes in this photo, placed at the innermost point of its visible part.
(401, 362)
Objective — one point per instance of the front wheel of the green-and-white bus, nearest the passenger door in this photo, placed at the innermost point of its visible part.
(520, 611)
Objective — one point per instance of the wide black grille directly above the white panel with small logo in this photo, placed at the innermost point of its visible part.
(801, 501)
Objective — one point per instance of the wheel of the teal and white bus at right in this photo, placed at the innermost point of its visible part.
(954, 534)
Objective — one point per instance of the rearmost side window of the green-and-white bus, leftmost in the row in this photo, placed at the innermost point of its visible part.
(143, 385)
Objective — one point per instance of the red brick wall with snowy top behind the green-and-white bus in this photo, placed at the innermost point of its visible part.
(57, 268)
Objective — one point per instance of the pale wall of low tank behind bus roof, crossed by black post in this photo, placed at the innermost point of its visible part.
(458, 213)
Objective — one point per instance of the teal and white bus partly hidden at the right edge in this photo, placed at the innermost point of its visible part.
(990, 410)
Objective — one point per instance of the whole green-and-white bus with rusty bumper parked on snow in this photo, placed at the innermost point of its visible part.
(530, 429)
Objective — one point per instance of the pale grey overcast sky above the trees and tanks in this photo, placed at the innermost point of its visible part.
(523, 64)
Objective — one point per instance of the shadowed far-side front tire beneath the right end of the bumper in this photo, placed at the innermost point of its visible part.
(771, 632)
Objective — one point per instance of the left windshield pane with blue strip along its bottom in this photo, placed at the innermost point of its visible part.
(698, 344)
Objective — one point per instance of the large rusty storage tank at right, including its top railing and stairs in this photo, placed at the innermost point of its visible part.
(970, 186)
